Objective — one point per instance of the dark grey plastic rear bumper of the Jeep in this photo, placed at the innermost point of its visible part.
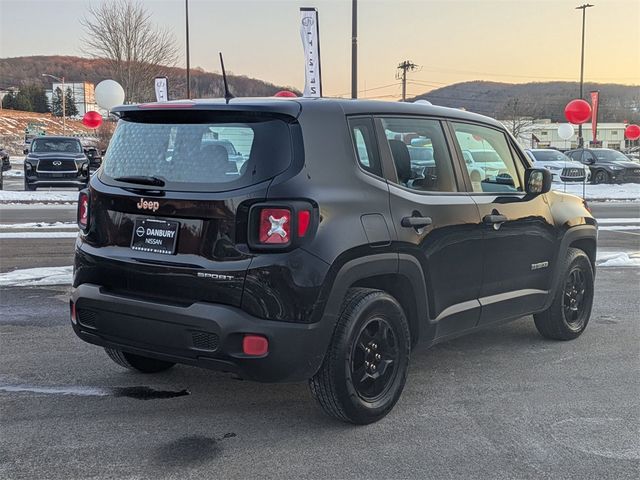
(201, 334)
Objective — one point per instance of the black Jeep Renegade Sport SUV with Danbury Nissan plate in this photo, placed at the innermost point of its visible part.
(328, 251)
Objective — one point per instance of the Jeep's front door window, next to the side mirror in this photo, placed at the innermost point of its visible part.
(488, 158)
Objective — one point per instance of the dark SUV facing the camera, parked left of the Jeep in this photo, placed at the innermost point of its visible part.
(55, 162)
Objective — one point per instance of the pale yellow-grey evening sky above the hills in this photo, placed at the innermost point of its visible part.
(451, 41)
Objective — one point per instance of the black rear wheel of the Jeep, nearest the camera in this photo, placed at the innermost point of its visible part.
(371, 342)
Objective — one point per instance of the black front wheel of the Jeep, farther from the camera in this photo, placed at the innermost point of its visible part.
(568, 315)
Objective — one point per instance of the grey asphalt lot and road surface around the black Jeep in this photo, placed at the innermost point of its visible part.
(500, 404)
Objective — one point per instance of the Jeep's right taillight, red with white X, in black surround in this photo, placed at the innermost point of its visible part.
(281, 224)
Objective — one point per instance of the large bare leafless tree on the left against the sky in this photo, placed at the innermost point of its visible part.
(122, 32)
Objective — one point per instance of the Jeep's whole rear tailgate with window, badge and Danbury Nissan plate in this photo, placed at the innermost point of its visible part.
(184, 239)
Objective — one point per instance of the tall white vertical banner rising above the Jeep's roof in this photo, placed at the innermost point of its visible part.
(310, 34)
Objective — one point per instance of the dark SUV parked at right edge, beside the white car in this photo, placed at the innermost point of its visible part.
(607, 165)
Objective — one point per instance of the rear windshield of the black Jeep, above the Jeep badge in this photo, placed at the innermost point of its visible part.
(212, 154)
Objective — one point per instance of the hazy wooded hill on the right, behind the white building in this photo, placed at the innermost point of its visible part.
(538, 100)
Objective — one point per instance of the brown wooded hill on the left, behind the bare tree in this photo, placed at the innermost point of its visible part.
(18, 71)
